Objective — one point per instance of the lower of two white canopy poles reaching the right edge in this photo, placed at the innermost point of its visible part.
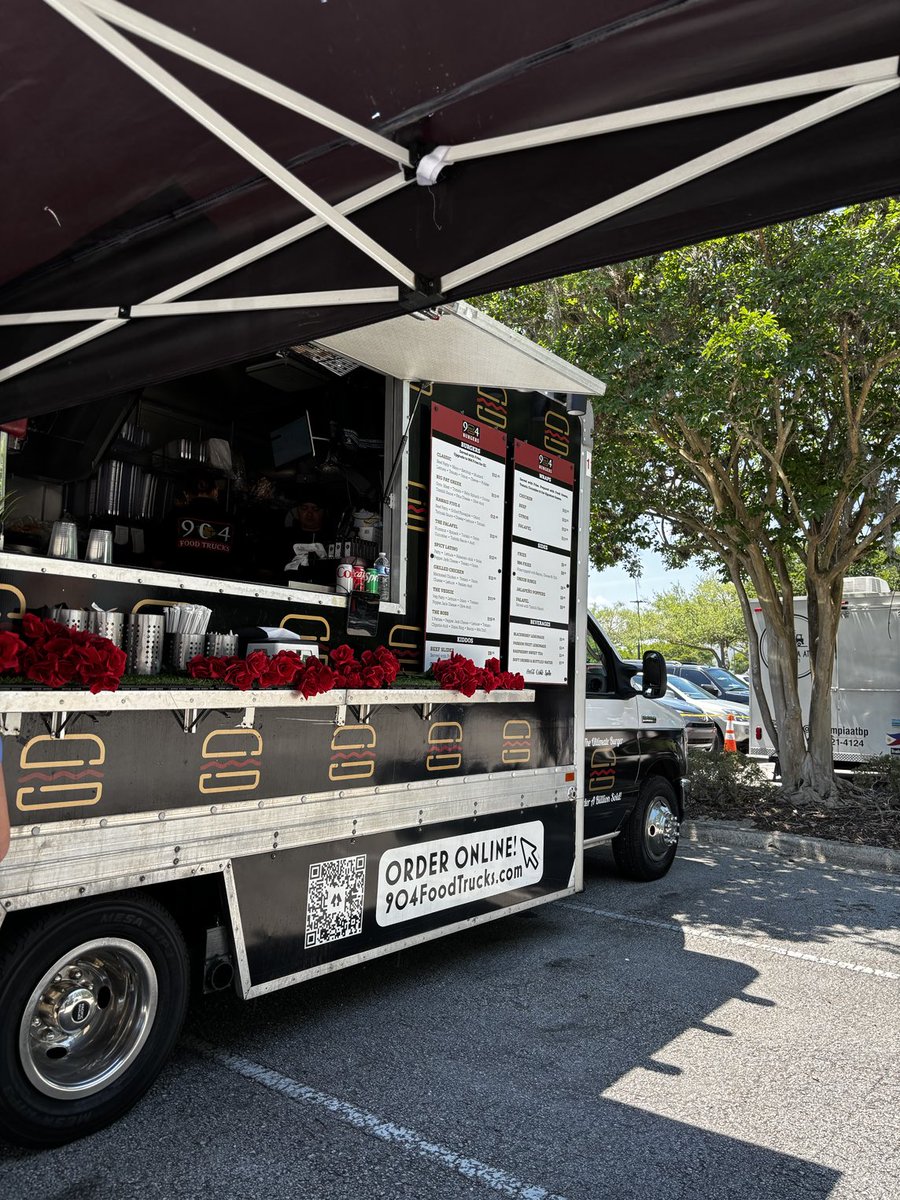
(669, 181)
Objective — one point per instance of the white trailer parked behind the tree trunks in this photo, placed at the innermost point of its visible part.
(866, 687)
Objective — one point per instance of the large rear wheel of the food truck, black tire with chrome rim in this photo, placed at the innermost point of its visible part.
(93, 998)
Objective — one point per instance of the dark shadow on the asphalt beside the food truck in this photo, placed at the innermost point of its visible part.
(497, 1043)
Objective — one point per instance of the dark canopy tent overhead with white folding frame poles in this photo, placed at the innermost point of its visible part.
(189, 183)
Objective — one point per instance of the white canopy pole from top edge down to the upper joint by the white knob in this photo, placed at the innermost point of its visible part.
(203, 56)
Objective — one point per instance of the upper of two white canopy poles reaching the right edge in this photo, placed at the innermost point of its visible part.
(880, 70)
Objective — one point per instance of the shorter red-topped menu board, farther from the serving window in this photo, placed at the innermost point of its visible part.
(543, 511)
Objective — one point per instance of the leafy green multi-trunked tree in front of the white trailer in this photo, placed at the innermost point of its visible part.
(753, 419)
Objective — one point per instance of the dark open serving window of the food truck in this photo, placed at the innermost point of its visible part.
(268, 473)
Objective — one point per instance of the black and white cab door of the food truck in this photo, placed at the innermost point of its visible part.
(613, 723)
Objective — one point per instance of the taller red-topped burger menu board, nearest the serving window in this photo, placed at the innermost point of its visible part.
(465, 593)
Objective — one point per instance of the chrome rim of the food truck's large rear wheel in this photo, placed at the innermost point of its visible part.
(88, 1018)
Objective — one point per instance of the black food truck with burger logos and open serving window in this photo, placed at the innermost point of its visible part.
(226, 761)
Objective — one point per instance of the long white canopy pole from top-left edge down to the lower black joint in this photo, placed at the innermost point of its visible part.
(170, 87)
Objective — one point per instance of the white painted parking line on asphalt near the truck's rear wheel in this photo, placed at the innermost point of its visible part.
(369, 1123)
